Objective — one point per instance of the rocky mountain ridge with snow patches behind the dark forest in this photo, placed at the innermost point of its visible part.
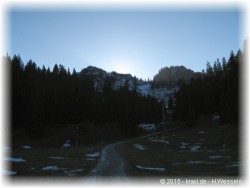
(161, 91)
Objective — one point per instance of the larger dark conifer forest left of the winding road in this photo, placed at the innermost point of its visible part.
(40, 96)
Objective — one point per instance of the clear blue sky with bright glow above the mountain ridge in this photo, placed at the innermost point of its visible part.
(139, 42)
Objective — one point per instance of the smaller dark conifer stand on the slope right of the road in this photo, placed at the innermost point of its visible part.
(215, 90)
